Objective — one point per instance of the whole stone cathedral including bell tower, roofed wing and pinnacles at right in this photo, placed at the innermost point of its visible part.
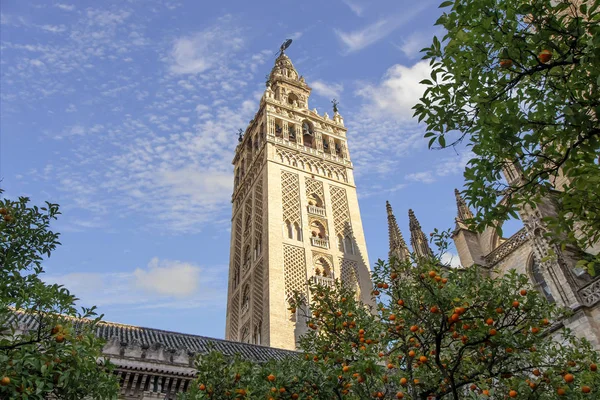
(295, 218)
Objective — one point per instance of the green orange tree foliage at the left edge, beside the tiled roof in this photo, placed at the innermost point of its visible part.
(51, 354)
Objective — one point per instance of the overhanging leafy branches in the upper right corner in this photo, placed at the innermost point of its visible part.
(520, 81)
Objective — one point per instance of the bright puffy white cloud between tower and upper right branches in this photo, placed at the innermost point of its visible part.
(398, 91)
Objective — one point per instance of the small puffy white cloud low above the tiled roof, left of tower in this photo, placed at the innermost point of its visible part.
(171, 278)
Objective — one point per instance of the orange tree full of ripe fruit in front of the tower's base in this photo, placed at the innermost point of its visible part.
(434, 332)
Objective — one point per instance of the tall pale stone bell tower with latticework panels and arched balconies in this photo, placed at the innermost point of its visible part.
(295, 213)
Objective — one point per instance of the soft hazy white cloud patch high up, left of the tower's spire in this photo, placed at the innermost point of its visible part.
(204, 50)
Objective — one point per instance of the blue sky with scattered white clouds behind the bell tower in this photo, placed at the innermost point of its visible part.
(126, 112)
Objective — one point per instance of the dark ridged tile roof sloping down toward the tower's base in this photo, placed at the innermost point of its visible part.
(149, 337)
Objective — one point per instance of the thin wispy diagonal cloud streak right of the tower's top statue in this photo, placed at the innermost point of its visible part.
(359, 39)
